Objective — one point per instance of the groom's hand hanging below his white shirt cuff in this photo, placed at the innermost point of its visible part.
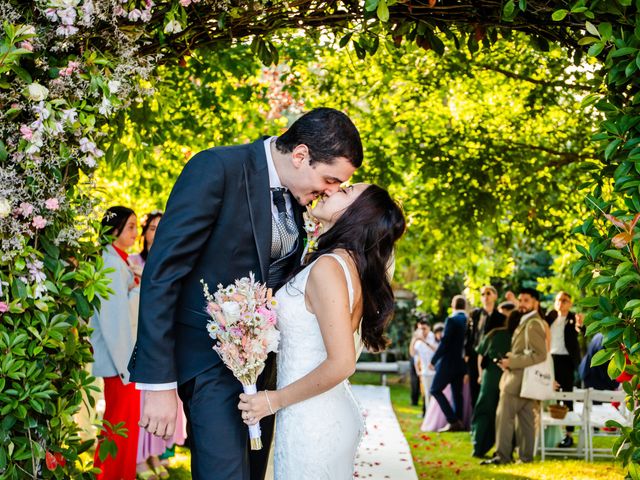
(159, 413)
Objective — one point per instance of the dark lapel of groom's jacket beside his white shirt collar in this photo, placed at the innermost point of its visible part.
(257, 186)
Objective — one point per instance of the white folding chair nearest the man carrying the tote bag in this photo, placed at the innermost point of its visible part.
(576, 418)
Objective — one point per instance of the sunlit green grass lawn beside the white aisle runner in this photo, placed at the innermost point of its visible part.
(448, 455)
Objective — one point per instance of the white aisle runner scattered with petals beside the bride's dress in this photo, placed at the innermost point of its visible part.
(384, 452)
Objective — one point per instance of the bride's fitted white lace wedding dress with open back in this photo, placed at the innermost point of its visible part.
(315, 439)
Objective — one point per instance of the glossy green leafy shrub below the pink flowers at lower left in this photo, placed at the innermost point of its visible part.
(43, 339)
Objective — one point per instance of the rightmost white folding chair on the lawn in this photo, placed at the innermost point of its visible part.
(599, 414)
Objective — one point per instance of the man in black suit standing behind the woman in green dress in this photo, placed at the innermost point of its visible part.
(481, 322)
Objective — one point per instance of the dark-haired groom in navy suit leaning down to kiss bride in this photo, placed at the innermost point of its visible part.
(227, 216)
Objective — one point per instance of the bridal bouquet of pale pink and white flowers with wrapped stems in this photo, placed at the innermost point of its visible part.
(243, 325)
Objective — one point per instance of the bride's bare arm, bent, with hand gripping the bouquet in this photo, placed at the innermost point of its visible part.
(328, 298)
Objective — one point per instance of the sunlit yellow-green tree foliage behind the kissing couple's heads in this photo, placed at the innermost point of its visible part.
(485, 164)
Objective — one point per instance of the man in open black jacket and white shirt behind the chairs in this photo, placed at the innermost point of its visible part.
(565, 351)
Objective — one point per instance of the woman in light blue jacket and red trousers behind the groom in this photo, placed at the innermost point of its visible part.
(112, 340)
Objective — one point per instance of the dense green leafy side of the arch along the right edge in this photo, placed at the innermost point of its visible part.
(608, 267)
